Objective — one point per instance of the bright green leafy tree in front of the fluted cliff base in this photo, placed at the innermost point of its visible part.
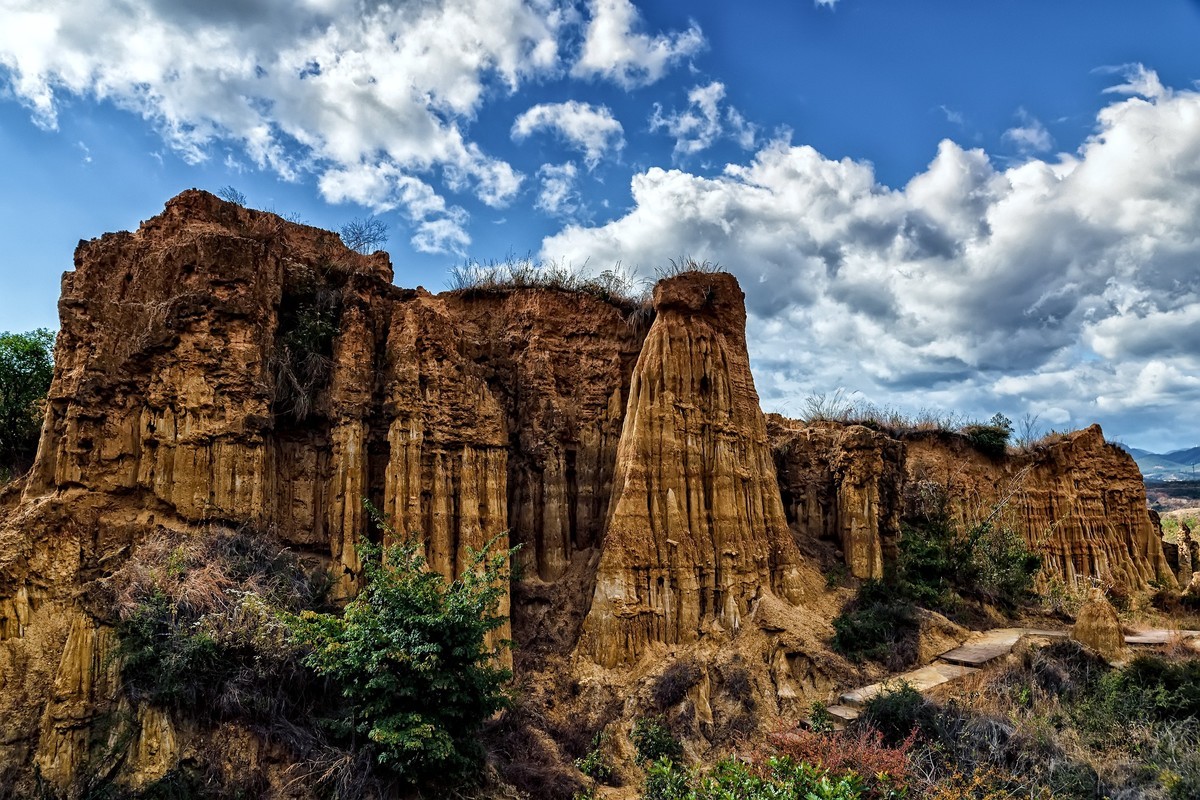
(411, 655)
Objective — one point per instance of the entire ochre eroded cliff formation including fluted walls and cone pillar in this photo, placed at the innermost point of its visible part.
(223, 368)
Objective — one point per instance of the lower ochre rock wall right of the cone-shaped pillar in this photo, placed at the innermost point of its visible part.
(1079, 502)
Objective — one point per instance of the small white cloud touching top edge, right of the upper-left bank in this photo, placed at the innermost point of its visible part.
(613, 49)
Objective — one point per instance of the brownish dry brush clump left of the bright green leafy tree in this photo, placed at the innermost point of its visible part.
(197, 629)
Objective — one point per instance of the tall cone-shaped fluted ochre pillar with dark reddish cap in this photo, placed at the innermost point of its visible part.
(697, 530)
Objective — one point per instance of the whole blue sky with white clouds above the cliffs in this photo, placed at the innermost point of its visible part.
(961, 207)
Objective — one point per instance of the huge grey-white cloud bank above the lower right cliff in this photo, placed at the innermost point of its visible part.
(1057, 285)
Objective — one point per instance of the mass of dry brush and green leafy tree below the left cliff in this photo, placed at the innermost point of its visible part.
(389, 694)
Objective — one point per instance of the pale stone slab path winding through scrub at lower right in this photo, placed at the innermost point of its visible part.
(979, 651)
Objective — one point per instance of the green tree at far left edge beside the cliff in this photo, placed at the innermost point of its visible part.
(27, 366)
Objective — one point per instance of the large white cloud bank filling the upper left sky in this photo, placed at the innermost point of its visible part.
(345, 91)
